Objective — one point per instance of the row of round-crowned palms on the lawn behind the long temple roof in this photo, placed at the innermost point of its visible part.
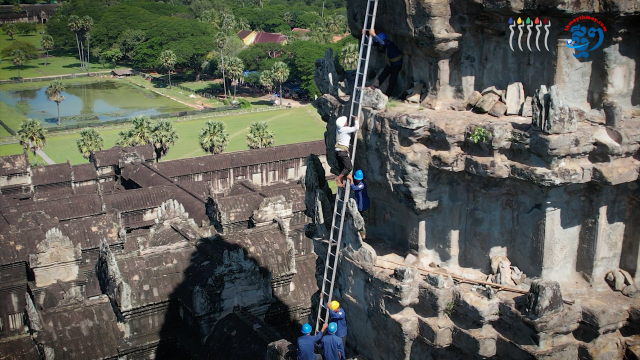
(162, 136)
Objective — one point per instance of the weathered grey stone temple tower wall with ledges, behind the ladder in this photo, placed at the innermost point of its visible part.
(491, 236)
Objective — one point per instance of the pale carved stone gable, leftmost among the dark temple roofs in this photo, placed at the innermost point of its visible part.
(56, 259)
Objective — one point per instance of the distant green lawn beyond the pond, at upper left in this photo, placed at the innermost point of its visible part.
(58, 65)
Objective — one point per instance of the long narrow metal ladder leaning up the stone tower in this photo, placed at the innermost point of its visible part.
(342, 196)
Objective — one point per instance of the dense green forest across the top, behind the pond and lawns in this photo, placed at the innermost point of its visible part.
(136, 32)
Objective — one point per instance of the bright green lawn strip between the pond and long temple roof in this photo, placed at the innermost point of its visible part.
(290, 126)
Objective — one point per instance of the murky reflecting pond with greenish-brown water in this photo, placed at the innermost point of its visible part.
(98, 101)
